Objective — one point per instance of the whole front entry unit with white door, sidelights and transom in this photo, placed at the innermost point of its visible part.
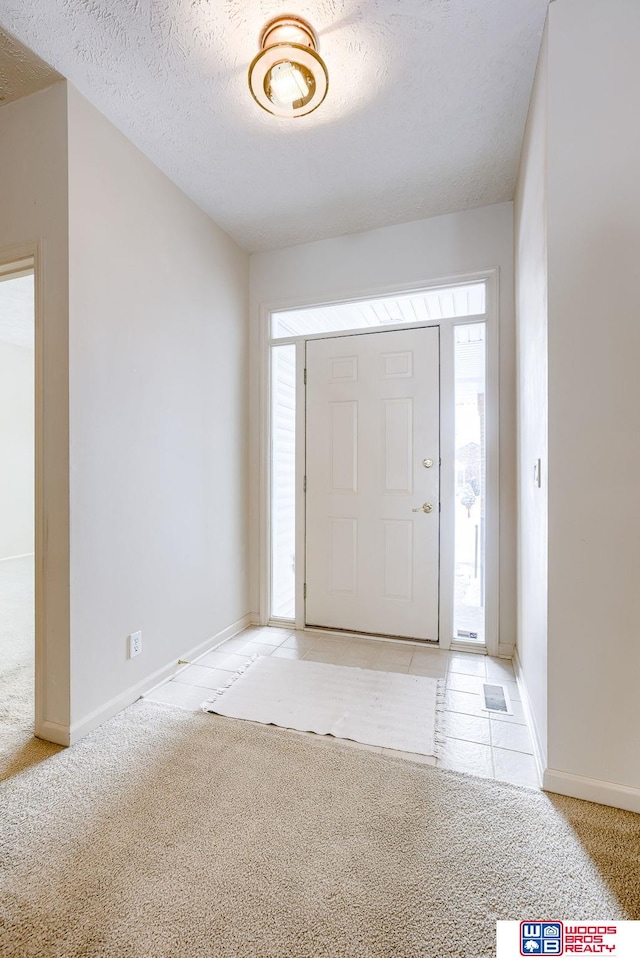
(463, 472)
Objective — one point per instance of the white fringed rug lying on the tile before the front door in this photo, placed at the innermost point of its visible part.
(386, 709)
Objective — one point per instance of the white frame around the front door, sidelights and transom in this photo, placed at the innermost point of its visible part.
(447, 474)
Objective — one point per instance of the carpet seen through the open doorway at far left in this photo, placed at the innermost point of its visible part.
(18, 746)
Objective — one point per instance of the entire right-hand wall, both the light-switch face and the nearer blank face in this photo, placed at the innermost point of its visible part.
(578, 249)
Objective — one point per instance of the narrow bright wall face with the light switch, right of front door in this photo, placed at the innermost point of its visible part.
(531, 338)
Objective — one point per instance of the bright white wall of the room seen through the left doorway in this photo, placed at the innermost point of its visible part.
(16, 449)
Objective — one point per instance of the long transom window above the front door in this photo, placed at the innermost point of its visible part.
(424, 306)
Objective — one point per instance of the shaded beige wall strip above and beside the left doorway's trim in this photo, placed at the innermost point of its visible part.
(33, 209)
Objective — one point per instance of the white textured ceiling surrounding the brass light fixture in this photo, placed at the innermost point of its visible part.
(425, 112)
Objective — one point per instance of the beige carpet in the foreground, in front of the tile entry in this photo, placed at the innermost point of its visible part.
(168, 833)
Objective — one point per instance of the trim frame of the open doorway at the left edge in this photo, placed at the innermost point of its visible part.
(14, 261)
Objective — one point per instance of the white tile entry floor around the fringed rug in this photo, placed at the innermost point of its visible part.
(495, 746)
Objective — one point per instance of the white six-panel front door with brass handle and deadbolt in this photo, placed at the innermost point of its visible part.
(372, 460)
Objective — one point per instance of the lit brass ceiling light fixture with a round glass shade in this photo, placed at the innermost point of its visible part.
(288, 77)
